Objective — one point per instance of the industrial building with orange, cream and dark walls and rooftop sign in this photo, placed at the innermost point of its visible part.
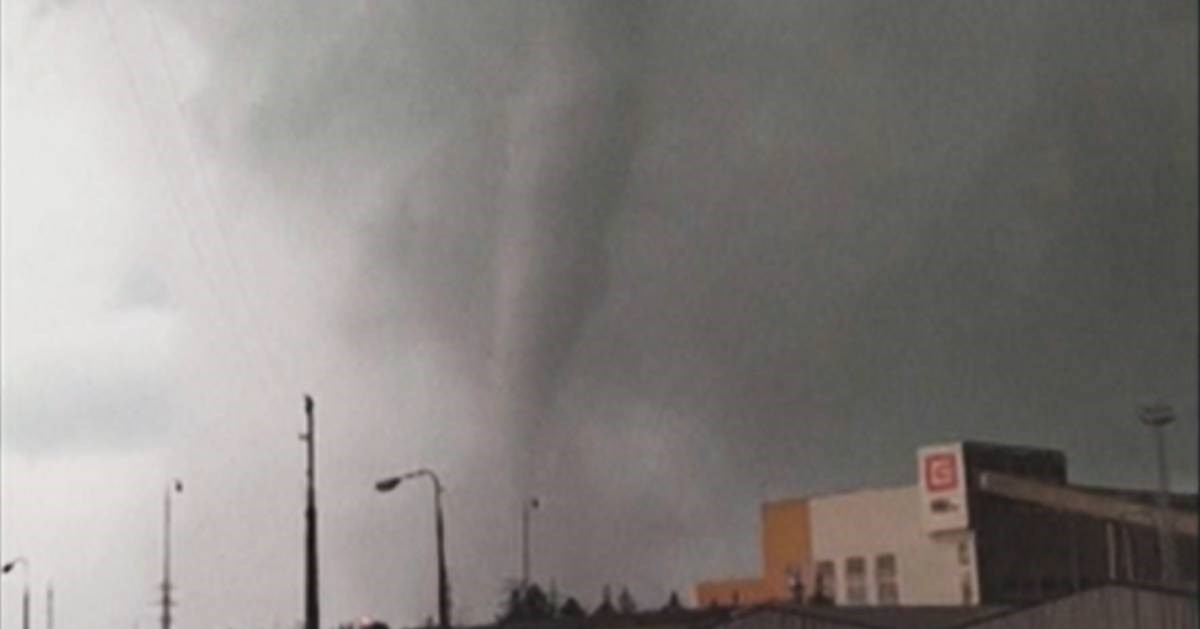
(985, 525)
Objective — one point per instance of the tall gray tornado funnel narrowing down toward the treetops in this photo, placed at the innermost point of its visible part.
(572, 133)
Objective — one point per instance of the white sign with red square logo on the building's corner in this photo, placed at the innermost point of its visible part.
(944, 498)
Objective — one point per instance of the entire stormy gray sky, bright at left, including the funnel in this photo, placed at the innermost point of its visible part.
(651, 262)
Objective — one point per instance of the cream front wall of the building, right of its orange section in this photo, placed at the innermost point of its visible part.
(872, 523)
